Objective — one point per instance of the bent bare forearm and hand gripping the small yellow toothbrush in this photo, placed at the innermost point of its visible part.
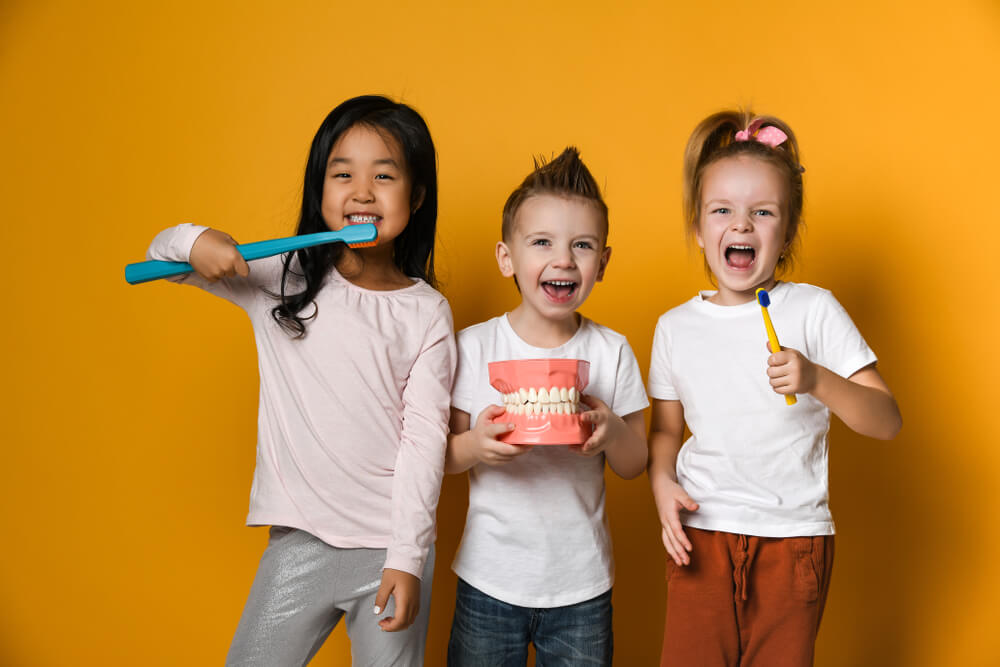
(862, 401)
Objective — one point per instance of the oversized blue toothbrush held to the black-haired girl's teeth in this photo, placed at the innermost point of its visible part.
(356, 236)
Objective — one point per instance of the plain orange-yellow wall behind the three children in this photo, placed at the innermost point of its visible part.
(129, 412)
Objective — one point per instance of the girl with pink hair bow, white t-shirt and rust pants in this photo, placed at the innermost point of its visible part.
(743, 504)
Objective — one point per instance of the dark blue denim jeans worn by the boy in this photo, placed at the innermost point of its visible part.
(489, 633)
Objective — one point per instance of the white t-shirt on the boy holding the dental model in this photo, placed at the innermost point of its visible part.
(536, 534)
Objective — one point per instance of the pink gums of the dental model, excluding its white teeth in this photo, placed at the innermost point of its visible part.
(509, 377)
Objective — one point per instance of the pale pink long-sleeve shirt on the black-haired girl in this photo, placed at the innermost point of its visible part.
(353, 418)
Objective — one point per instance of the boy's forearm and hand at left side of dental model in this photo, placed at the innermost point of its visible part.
(468, 447)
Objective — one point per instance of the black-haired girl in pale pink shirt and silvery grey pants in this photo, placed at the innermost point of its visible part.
(356, 356)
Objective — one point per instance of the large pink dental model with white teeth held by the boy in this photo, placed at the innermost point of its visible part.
(541, 397)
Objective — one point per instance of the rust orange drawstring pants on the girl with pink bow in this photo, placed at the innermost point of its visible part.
(746, 601)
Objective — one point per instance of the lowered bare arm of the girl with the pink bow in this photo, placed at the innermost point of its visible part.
(665, 439)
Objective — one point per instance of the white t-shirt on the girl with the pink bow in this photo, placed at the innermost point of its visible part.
(755, 465)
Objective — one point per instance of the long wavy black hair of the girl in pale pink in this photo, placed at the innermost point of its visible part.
(413, 249)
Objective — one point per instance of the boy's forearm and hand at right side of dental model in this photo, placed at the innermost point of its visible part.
(622, 439)
